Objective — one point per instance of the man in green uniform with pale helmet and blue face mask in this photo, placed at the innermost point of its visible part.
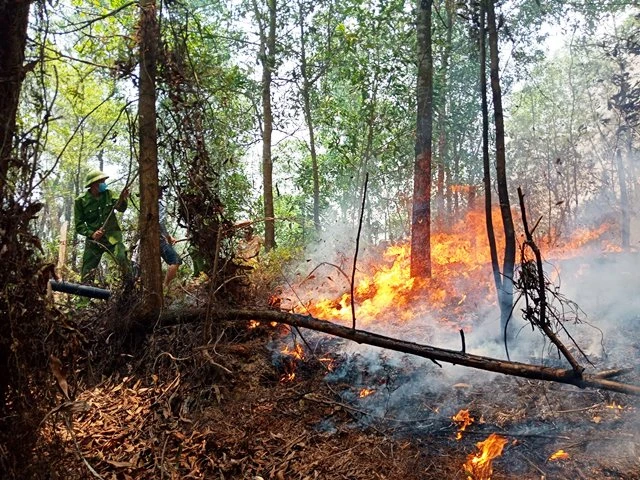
(95, 218)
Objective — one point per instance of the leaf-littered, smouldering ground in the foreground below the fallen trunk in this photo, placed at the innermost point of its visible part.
(236, 407)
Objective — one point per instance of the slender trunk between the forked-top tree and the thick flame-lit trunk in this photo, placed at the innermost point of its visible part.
(306, 94)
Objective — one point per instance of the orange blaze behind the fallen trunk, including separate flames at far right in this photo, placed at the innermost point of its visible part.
(461, 278)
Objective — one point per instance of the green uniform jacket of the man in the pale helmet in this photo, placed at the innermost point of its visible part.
(90, 214)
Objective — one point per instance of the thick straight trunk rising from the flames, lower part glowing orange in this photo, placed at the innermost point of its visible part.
(421, 215)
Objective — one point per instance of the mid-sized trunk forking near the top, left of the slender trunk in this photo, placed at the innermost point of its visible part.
(267, 56)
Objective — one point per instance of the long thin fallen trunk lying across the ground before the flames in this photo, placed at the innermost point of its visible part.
(517, 369)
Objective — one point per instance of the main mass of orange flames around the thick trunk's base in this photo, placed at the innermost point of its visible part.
(387, 287)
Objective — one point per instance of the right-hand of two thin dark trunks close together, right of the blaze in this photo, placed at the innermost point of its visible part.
(505, 294)
